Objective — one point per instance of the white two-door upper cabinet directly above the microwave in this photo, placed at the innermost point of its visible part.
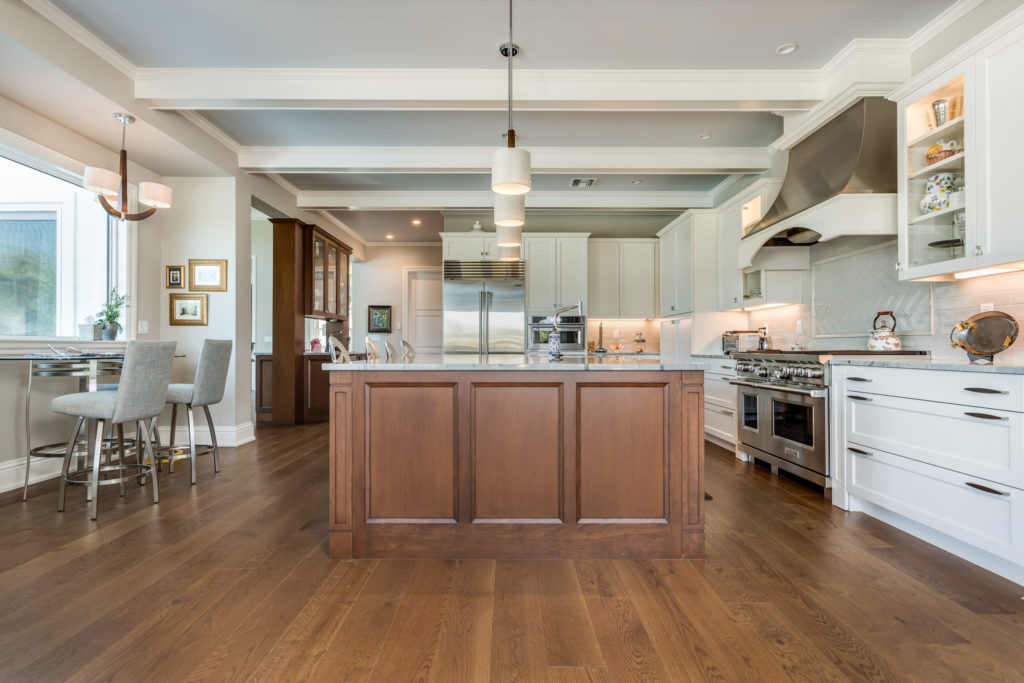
(557, 271)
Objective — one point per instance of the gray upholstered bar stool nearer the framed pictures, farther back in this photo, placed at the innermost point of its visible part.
(211, 376)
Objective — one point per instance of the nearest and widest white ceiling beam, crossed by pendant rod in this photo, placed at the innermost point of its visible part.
(479, 90)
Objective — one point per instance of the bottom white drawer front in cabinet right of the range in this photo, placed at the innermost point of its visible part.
(944, 501)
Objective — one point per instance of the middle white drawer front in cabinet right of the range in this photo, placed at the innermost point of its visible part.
(989, 444)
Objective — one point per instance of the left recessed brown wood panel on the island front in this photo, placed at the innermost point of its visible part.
(411, 452)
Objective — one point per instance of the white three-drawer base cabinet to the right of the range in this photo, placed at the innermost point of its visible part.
(940, 454)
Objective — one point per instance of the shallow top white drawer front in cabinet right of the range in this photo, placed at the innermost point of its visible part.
(1005, 393)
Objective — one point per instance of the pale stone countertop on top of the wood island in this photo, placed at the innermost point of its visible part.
(461, 362)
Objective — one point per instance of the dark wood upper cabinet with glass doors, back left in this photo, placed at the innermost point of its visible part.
(326, 276)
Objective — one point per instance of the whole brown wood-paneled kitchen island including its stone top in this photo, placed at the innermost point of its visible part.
(517, 457)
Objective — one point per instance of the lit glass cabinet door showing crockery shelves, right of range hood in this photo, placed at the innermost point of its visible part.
(935, 165)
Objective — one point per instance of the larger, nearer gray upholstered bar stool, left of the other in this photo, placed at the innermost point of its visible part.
(140, 398)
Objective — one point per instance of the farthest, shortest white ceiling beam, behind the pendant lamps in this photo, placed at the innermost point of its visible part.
(423, 200)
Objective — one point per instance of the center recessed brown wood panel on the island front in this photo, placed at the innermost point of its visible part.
(517, 453)
